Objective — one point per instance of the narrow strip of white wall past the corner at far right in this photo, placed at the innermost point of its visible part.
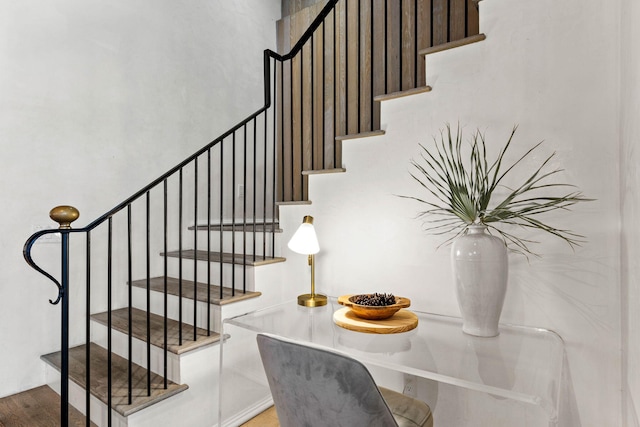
(630, 187)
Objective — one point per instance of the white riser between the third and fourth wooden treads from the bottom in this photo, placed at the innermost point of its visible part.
(230, 273)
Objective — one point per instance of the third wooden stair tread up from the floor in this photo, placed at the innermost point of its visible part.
(173, 288)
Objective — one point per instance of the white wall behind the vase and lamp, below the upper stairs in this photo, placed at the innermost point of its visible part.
(553, 68)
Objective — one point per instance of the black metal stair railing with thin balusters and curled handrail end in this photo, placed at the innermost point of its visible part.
(309, 100)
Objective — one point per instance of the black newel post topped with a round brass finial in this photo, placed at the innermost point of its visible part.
(64, 215)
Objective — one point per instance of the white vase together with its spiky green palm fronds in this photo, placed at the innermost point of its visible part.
(460, 184)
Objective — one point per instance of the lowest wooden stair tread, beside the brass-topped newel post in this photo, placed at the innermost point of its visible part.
(119, 371)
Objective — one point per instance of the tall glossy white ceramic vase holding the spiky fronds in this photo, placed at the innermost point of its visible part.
(480, 269)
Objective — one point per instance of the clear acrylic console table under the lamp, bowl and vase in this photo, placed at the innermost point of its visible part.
(513, 379)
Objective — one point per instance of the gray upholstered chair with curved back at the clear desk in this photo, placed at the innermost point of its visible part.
(313, 387)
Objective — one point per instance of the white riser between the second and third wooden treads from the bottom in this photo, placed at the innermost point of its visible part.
(173, 308)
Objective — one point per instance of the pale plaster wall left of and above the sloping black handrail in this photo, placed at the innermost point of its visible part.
(97, 99)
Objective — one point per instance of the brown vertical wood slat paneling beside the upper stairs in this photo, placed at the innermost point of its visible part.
(364, 49)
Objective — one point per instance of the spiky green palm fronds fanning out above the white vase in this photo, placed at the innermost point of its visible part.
(462, 184)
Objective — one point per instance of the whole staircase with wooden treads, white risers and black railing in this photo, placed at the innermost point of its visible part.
(160, 271)
